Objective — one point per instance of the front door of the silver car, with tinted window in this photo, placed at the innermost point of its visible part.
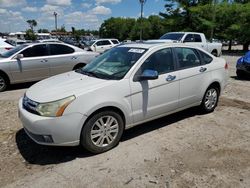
(33, 66)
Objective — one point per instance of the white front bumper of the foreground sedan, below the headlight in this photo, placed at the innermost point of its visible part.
(58, 131)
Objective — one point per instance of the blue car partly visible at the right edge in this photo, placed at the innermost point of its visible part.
(243, 66)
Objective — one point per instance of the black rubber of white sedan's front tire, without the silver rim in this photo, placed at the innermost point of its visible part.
(85, 134)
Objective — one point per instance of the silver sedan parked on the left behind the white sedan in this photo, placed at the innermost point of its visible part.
(33, 62)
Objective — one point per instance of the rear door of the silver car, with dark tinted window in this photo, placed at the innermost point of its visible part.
(61, 59)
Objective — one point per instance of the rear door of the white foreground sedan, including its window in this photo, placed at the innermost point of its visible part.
(194, 75)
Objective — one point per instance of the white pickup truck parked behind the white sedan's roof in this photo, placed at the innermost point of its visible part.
(192, 38)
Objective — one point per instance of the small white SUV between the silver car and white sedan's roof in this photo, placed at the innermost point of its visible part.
(101, 45)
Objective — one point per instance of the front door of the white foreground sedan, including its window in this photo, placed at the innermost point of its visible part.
(151, 98)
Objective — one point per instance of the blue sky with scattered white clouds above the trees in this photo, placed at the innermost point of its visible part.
(81, 14)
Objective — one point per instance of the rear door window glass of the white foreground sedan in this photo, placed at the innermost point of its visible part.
(187, 57)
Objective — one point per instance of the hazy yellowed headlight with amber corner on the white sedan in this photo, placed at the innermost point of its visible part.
(55, 108)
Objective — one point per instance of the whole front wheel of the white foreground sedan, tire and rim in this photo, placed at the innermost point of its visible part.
(102, 132)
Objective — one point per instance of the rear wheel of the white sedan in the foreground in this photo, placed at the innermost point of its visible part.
(210, 99)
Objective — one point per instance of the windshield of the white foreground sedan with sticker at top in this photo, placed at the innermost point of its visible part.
(113, 64)
